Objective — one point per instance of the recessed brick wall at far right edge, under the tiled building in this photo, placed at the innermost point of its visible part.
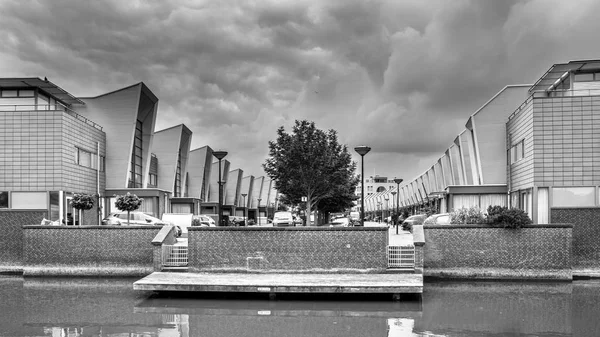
(586, 234)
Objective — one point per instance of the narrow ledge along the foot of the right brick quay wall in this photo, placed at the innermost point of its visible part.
(498, 274)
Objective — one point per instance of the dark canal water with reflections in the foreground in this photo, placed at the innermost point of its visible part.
(109, 307)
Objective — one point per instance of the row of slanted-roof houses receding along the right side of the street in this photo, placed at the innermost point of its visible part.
(534, 147)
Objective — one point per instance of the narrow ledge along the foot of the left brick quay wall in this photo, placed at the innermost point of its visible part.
(106, 271)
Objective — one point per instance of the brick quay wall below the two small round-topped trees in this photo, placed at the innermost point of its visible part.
(88, 251)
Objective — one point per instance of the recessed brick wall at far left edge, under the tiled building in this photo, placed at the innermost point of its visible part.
(11, 240)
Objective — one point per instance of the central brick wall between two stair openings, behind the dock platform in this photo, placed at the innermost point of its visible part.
(269, 249)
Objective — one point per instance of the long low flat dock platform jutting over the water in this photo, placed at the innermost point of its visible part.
(283, 283)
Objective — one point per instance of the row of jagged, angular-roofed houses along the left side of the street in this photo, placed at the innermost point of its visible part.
(53, 145)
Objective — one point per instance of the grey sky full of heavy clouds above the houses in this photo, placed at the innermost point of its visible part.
(399, 76)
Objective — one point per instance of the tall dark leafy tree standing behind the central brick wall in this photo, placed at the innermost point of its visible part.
(309, 162)
